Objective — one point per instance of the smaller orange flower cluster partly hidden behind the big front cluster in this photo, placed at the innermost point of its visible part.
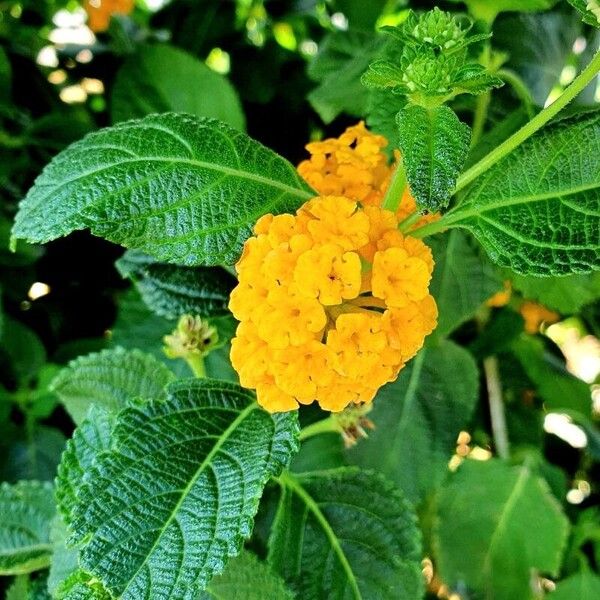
(354, 166)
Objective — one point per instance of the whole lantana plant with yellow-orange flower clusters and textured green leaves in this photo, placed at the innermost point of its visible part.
(277, 439)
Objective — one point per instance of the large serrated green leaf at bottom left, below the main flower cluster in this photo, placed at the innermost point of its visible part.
(179, 489)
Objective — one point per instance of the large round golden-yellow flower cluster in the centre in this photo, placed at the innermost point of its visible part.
(332, 302)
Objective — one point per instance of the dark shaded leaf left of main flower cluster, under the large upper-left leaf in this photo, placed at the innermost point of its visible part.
(171, 291)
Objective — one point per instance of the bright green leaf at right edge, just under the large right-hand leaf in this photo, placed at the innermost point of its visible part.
(566, 295)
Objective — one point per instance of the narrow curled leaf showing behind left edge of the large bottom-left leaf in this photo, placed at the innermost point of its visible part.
(90, 438)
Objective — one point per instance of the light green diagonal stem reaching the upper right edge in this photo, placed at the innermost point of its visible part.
(515, 140)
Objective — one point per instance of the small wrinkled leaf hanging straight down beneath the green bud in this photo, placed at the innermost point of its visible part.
(434, 145)
